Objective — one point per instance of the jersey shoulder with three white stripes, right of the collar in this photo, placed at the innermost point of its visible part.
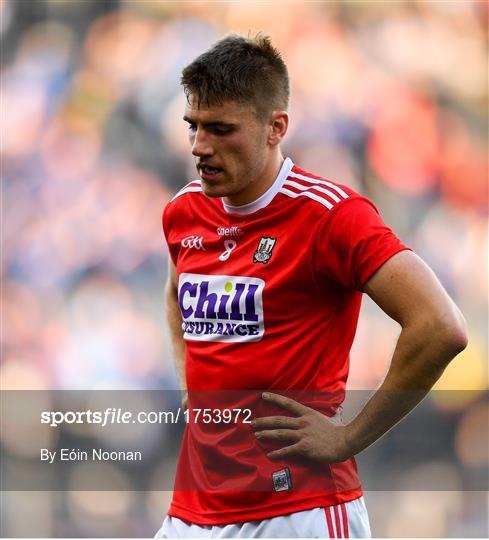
(322, 196)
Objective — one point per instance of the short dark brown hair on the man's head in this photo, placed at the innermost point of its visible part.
(246, 70)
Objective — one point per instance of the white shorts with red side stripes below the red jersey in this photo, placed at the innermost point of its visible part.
(348, 520)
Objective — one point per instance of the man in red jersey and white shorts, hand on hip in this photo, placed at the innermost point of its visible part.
(267, 267)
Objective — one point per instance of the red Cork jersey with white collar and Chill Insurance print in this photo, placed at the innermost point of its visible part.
(270, 294)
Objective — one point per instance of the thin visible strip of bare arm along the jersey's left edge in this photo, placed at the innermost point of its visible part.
(175, 324)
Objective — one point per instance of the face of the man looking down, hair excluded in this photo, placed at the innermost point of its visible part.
(230, 147)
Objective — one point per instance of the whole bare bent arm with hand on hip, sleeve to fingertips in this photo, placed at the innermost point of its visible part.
(433, 333)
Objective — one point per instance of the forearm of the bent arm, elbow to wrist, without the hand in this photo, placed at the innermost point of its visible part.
(419, 360)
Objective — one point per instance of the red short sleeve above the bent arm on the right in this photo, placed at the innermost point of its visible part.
(352, 243)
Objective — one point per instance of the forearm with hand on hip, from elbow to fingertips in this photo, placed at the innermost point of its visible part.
(421, 355)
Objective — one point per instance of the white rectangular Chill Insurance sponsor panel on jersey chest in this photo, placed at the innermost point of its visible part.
(221, 308)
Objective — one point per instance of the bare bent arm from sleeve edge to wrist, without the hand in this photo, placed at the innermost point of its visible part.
(433, 333)
